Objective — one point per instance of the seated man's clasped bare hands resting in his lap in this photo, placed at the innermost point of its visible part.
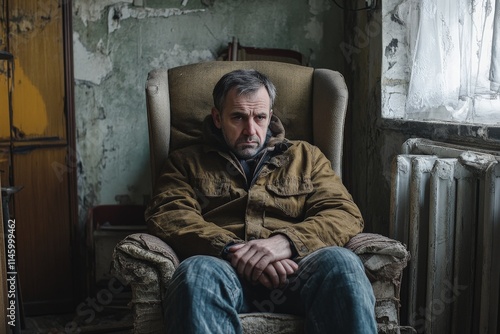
(264, 261)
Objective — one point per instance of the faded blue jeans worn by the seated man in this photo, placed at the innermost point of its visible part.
(330, 289)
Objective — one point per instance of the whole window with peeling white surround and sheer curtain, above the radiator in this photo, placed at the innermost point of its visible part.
(442, 60)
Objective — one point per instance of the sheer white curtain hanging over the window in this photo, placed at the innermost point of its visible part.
(451, 51)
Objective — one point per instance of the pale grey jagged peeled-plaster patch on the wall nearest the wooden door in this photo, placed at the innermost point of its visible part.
(90, 67)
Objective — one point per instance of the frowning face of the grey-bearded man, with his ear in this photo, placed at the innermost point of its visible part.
(244, 121)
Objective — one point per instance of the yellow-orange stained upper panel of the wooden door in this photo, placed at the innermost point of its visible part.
(36, 41)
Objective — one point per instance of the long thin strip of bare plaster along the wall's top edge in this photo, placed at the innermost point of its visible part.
(124, 11)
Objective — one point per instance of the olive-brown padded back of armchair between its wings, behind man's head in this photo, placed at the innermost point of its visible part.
(188, 109)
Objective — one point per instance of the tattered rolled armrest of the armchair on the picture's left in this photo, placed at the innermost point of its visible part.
(147, 264)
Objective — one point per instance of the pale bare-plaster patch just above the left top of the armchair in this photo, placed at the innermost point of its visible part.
(170, 58)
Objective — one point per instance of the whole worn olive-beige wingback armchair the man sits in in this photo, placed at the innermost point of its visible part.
(312, 105)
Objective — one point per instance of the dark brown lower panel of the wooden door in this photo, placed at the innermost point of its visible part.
(43, 228)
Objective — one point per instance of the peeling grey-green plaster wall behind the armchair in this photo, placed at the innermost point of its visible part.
(116, 43)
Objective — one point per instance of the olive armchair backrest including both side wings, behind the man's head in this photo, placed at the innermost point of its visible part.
(310, 102)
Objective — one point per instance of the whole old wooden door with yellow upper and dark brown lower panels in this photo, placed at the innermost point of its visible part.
(36, 147)
